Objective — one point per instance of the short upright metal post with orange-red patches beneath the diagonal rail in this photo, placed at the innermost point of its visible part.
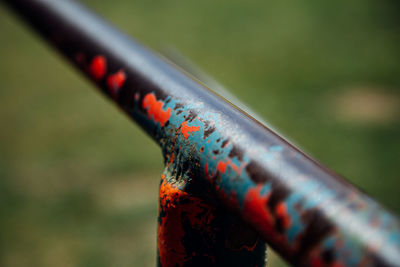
(194, 229)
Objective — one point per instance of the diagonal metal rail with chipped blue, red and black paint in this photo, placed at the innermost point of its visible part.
(306, 212)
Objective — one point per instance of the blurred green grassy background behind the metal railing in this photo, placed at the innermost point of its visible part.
(79, 181)
